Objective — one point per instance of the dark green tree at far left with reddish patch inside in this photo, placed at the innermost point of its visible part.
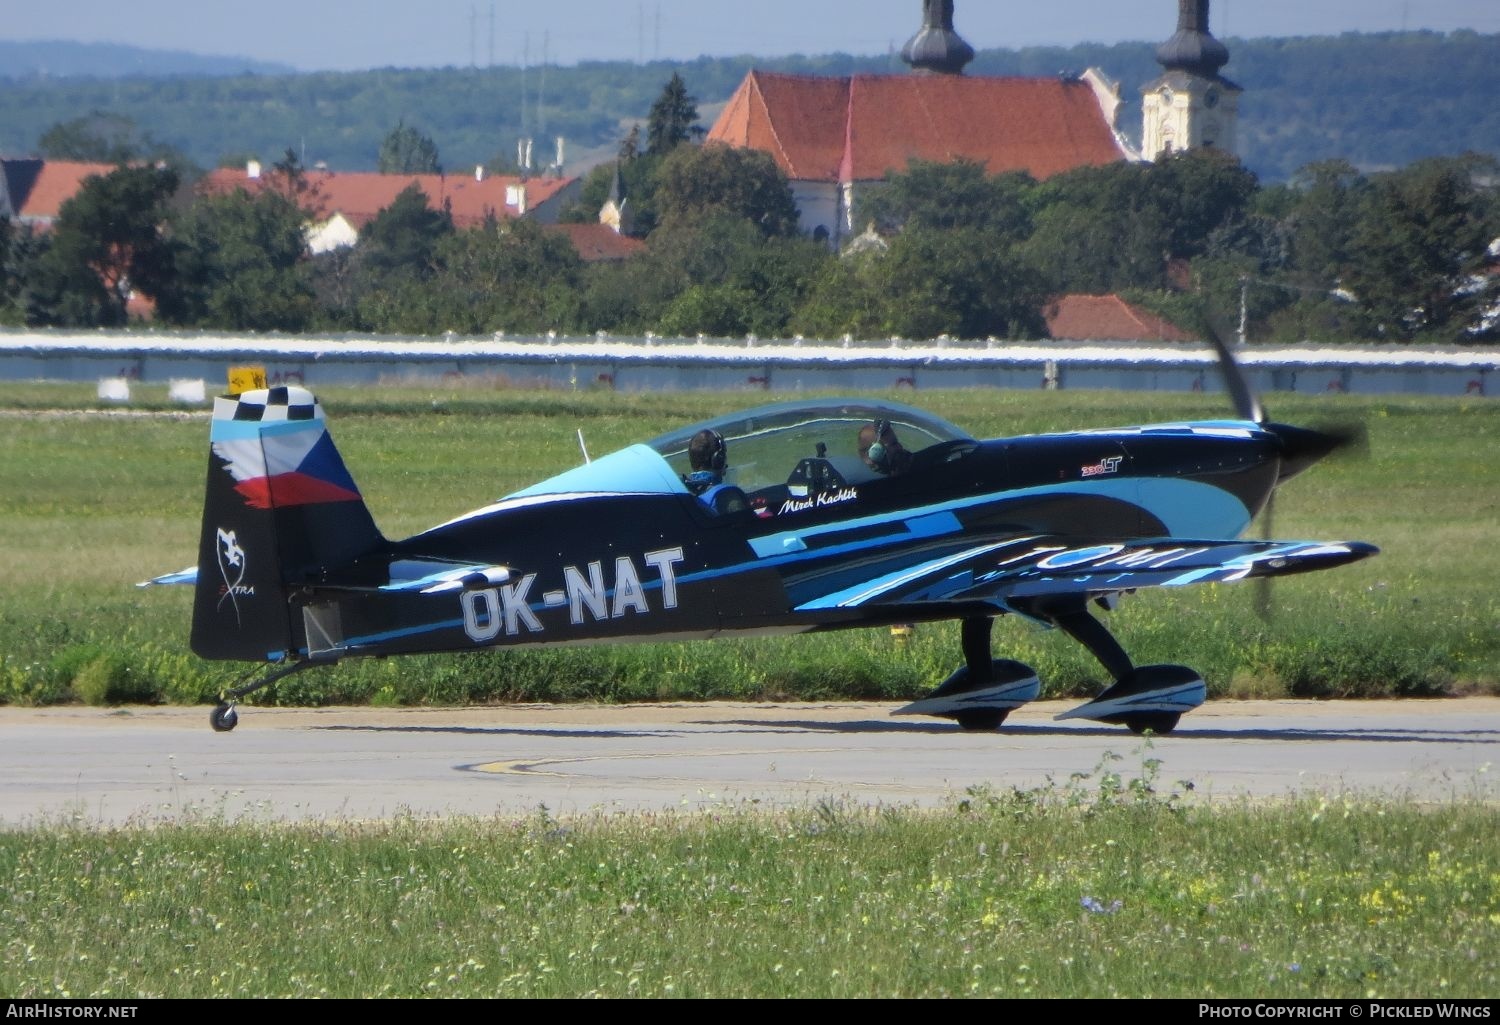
(109, 244)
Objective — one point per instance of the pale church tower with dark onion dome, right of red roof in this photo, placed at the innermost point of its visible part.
(1192, 106)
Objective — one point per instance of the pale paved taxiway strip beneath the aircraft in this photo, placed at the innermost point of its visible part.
(119, 766)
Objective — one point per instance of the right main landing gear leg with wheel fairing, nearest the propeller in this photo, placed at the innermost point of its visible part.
(1142, 699)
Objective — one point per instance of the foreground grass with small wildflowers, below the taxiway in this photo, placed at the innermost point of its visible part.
(1111, 885)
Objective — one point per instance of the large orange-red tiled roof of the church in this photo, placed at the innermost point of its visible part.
(859, 128)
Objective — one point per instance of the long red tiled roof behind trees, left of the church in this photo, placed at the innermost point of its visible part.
(359, 196)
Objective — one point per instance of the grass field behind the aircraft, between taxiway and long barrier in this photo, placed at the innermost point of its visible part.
(91, 505)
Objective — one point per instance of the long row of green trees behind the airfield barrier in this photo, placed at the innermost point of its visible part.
(1336, 254)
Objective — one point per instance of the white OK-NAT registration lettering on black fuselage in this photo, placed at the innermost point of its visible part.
(490, 612)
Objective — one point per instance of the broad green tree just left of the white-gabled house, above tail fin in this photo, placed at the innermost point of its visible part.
(244, 263)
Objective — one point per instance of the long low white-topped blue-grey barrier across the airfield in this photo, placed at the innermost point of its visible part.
(680, 364)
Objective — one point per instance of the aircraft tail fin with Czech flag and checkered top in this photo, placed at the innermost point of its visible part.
(280, 508)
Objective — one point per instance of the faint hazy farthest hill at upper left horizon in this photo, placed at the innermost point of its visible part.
(58, 59)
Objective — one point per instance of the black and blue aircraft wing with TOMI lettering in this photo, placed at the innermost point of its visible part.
(1019, 570)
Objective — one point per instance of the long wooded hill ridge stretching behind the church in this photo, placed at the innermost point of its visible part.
(1378, 101)
